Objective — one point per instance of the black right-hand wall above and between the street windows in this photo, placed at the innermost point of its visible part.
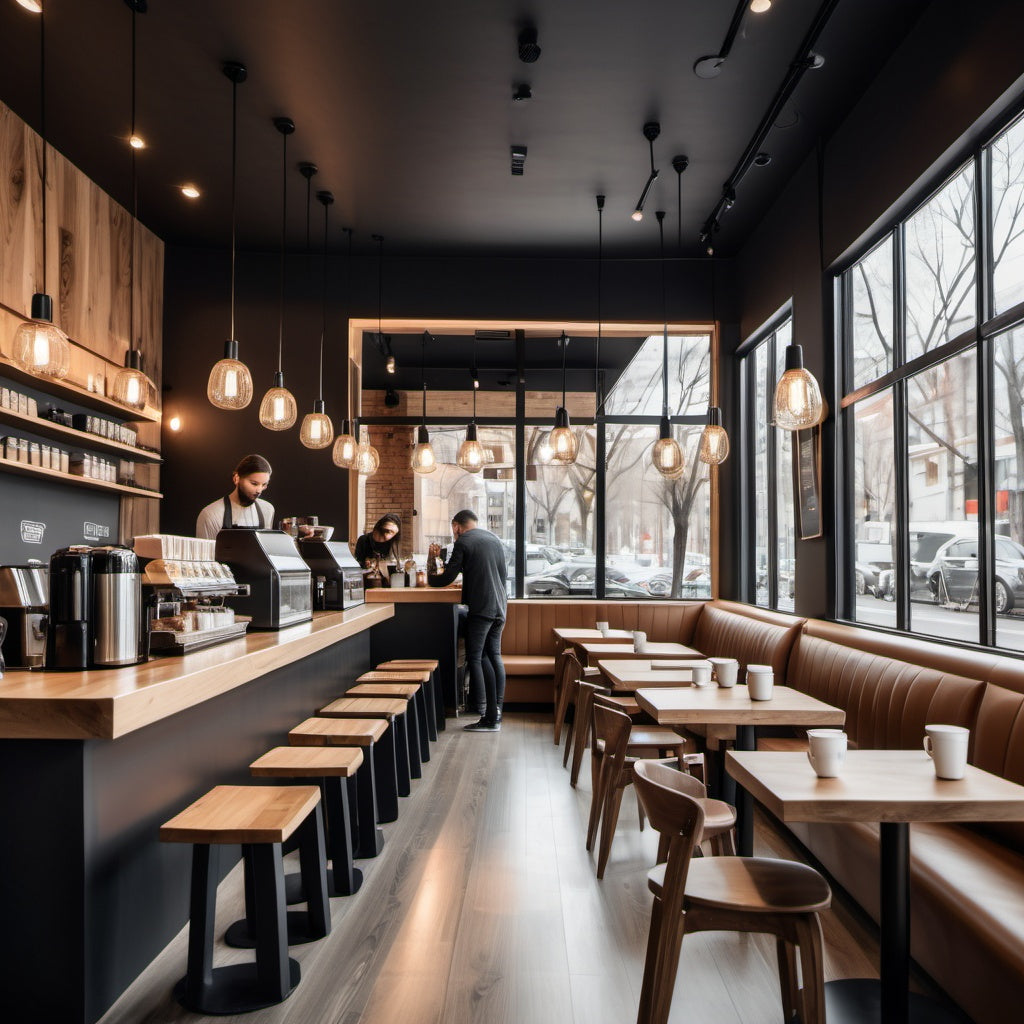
(956, 76)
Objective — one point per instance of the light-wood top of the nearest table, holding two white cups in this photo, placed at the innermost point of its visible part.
(876, 786)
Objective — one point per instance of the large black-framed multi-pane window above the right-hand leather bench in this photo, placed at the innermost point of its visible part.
(932, 416)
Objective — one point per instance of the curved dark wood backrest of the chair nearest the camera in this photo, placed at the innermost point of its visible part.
(666, 797)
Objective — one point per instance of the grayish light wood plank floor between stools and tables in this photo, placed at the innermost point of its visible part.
(484, 908)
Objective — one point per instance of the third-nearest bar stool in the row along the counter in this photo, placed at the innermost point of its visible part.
(366, 734)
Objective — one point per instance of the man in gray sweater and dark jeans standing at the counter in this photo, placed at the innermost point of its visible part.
(480, 557)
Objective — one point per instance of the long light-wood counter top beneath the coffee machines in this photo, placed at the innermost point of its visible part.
(105, 704)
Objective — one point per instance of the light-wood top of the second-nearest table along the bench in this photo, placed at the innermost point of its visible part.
(715, 706)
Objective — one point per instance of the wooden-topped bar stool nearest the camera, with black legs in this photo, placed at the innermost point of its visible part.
(262, 819)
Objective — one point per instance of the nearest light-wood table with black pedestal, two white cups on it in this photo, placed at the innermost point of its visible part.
(893, 788)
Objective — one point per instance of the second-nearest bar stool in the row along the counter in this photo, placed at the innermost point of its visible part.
(331, 765)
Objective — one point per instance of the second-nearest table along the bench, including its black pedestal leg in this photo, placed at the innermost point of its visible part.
(715, 706)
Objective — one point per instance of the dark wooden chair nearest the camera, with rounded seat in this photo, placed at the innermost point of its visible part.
(736, 894)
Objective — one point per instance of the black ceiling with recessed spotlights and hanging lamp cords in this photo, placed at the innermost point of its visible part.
(407, 110)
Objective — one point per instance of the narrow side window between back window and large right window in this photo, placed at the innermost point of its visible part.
(774, 573)
